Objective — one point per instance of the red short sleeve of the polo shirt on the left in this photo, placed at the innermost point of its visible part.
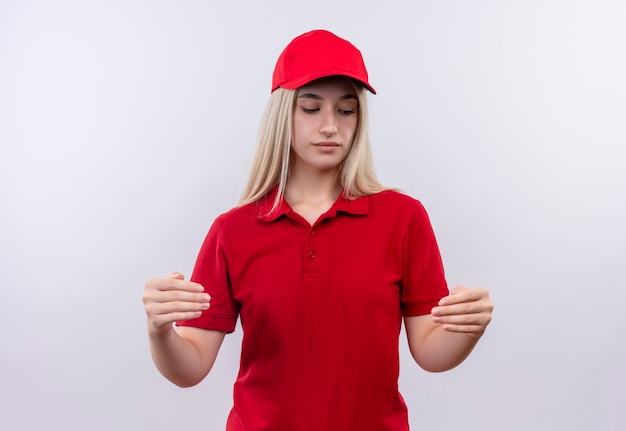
(211, 271)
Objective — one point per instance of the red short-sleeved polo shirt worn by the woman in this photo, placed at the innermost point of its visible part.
(321, 309)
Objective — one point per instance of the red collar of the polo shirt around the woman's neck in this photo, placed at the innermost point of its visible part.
(358, 206)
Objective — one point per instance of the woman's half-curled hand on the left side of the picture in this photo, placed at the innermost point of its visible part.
(168, 300)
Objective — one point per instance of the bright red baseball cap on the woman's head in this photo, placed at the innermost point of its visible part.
(318, 54)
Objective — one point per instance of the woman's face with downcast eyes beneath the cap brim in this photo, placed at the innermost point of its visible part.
(325, 119)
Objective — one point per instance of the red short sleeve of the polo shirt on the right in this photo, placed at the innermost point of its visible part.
(423, 279)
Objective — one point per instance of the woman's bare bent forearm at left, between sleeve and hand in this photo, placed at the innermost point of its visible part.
(179, 360)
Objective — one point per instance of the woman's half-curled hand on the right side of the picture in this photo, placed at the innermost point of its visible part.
(465, 310)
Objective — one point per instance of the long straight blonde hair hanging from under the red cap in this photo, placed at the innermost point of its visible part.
(270, 167)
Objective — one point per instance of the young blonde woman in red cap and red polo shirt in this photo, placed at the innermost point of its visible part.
(321, 263)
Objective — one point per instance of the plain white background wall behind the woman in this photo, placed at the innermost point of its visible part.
(126, 127)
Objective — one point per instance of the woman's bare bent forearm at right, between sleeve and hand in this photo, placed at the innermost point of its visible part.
(441, 350)
